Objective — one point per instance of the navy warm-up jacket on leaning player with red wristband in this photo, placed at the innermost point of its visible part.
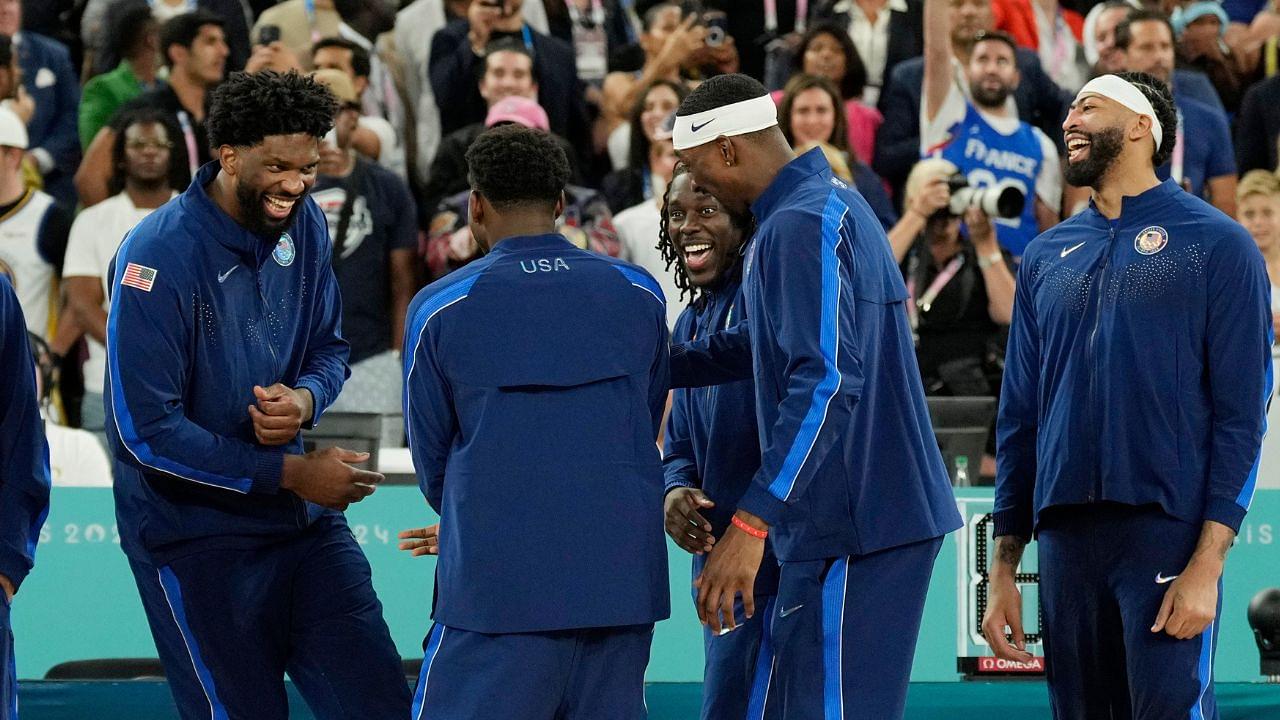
(851, 464)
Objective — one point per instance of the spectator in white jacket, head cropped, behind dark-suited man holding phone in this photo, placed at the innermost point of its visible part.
(415, 28)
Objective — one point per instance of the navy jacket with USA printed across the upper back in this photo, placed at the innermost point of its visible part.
(536, 384)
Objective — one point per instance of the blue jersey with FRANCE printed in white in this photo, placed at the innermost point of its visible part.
(988, 157)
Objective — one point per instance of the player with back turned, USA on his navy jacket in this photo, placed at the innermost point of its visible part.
(536, 382)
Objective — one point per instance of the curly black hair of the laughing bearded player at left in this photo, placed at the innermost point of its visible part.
(252, 107)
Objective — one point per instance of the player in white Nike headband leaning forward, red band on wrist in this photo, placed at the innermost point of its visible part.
(852, 485)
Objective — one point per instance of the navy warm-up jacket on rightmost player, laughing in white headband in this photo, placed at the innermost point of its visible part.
(1139, 367)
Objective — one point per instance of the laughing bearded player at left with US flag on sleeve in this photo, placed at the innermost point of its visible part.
(223, 341)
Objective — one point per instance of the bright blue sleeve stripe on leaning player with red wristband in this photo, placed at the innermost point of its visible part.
(829, 335)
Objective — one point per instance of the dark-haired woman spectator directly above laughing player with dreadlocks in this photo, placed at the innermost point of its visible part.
(636, 183)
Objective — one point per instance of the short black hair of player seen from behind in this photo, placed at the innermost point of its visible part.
(516, 166)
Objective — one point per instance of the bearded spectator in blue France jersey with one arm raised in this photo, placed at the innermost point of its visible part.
(981, 135)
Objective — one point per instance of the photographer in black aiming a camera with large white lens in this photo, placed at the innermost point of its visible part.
(959, 285)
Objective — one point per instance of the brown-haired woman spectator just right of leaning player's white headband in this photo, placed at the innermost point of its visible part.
(810, 112)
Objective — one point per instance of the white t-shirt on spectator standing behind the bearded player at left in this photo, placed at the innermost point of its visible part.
(94, 240)
